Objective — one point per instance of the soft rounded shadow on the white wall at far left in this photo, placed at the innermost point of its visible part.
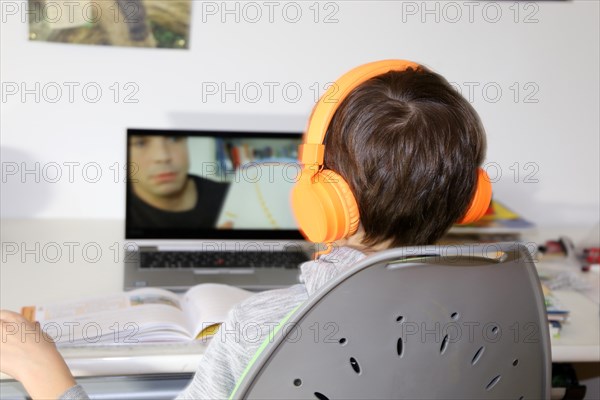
(26, 184)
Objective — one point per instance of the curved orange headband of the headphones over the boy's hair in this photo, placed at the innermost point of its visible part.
(312, 150)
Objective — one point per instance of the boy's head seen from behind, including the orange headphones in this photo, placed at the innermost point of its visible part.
(399, 154)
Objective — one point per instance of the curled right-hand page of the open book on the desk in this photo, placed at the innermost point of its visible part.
(207, 304)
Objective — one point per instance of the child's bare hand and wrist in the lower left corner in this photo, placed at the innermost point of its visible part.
(30, 356)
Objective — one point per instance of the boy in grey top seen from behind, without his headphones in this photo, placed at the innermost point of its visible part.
(408, 146)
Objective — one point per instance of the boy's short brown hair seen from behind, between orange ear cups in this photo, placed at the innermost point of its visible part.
(409, 145)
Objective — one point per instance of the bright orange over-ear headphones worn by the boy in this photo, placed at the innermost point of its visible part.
(322, 201)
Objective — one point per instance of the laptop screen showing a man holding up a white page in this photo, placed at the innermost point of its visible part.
(210, 184)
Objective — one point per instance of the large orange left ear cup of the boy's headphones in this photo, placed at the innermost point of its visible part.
(325, 207)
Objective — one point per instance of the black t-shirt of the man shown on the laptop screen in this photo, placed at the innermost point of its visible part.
(210, 199)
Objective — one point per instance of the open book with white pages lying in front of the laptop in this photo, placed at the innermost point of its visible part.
(139, 316)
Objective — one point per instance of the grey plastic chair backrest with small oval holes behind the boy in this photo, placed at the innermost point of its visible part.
(451, 322)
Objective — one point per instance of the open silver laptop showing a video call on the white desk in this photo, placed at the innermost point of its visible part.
(212, 206)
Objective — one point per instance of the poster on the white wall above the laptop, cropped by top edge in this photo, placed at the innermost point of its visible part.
(137, 23)
